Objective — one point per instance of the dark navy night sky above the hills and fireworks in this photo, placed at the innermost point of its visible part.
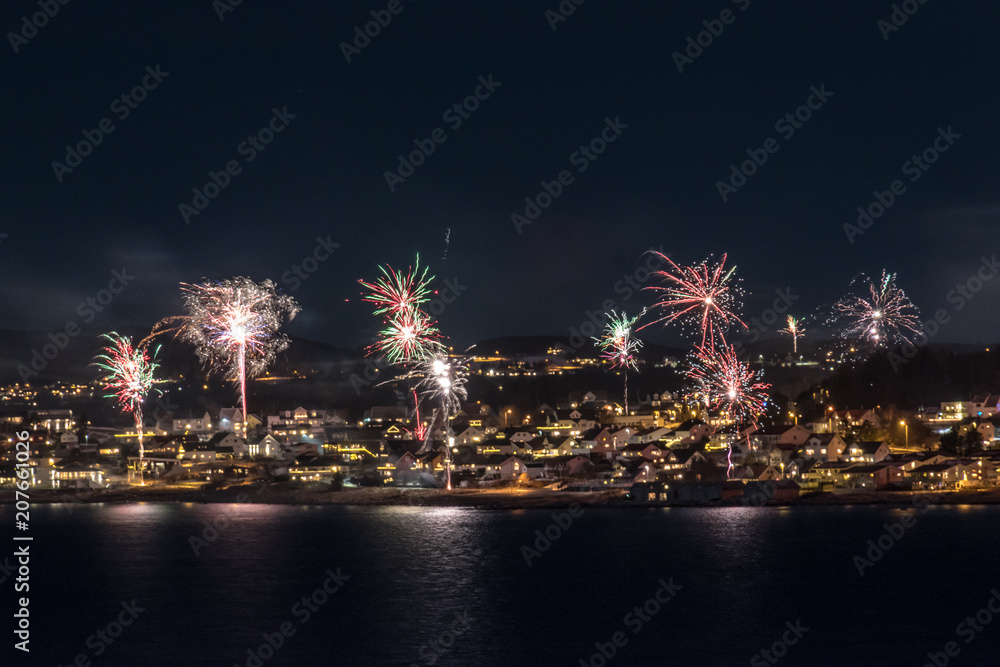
(654, 186)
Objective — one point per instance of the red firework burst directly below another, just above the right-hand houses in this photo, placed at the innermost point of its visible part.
(729, 385)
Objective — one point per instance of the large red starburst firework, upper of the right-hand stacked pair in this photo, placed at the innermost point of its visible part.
(703, 295)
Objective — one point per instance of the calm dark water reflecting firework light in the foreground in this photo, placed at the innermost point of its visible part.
(413, 573)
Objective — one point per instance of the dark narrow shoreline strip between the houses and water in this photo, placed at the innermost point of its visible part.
(501, 499)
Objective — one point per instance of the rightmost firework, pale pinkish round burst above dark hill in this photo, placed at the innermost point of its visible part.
(886, 317)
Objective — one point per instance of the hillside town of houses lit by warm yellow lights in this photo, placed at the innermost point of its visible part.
(664, 447)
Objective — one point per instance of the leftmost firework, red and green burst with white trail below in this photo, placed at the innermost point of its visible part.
(128, 374)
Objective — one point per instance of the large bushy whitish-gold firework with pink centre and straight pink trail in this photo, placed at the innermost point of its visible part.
(233, 326)
